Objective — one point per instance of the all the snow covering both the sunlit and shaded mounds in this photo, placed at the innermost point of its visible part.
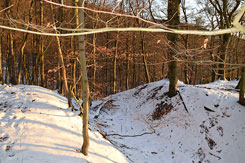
(141, 125)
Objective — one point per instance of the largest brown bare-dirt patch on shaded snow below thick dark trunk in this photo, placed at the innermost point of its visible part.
(162, 108)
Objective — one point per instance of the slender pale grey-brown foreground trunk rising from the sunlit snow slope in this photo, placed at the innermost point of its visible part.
(84, 80)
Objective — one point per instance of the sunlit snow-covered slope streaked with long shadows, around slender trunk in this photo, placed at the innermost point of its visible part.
(36, 127)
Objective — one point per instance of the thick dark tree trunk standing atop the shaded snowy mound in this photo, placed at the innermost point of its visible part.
(174, 20)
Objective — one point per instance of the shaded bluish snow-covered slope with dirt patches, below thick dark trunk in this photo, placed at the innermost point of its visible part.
(210, 129)
